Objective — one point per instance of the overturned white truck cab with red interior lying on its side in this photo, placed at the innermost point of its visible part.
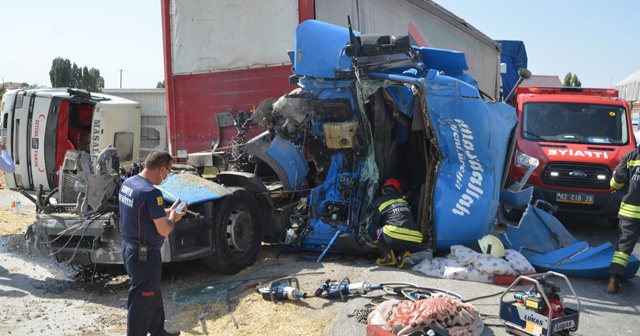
(40, 125)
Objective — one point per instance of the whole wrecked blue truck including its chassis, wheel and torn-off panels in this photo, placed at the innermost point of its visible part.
(369, 107)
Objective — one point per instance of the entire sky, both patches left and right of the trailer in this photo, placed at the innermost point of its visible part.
(594, 39)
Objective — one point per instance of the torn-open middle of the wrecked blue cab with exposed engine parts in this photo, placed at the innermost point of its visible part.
(349, 145)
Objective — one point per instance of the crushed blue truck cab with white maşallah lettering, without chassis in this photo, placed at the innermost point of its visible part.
(370, 107)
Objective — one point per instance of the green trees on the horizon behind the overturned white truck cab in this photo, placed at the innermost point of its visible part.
(65, 74)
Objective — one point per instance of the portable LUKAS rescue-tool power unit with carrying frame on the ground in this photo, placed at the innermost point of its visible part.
(540, 310)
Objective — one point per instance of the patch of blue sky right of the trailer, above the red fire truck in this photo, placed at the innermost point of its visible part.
(596, 40)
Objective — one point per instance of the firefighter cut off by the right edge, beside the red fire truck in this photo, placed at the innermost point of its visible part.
(627, 172)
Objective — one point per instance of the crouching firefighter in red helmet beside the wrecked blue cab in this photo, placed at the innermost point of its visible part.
(393, 227)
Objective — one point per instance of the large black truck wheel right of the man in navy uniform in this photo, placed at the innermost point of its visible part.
(237, 233)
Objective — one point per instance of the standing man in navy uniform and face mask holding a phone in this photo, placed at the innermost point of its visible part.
(144, 224)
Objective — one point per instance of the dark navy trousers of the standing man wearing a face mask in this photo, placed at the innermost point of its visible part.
(144, 304)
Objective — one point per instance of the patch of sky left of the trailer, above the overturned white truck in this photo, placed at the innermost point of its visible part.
(106, 35)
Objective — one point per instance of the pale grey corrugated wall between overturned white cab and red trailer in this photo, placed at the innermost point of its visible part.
(153, 134)
